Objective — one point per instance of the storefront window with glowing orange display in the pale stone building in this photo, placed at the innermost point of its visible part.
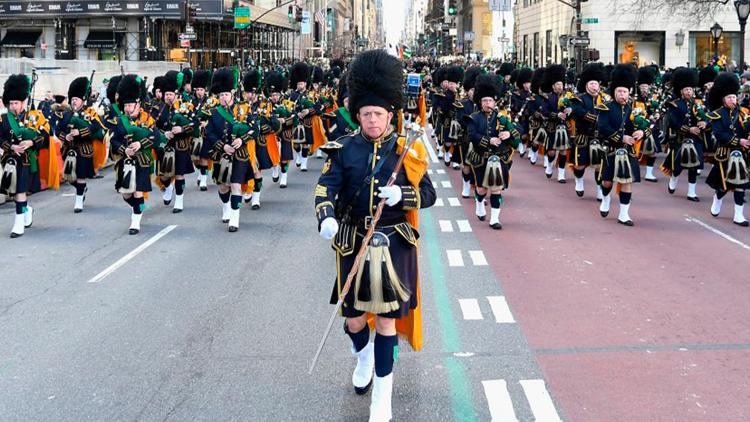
(640, 48)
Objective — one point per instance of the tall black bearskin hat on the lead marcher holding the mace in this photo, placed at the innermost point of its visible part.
(375, 79)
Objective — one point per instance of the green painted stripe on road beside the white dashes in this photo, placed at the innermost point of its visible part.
(461, 401)
